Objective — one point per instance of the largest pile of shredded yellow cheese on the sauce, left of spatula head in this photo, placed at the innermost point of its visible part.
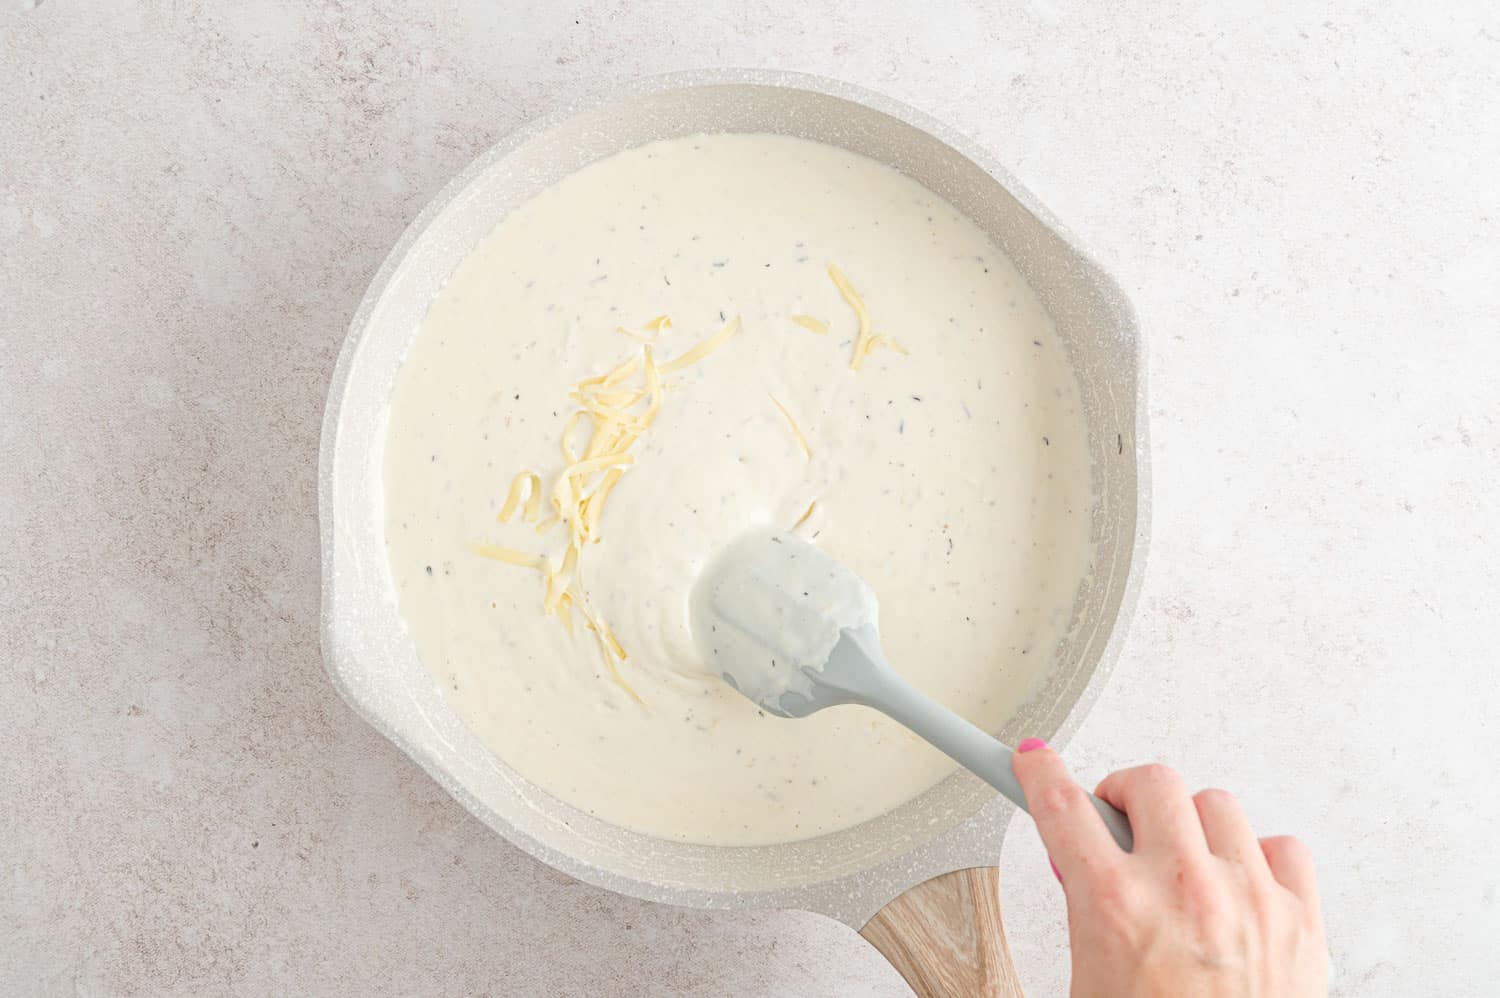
(620, 407)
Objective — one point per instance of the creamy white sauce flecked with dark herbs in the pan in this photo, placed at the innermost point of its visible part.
(955, 478)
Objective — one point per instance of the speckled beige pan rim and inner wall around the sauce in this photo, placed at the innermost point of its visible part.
(851, 874)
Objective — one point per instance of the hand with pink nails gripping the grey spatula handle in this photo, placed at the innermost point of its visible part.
(1201, 909)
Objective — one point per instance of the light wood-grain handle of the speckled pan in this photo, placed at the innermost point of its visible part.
(946, 937)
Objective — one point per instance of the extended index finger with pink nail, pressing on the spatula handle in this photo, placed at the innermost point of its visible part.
(1070, 828)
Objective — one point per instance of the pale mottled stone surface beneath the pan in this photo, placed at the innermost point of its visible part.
(193, 199)
